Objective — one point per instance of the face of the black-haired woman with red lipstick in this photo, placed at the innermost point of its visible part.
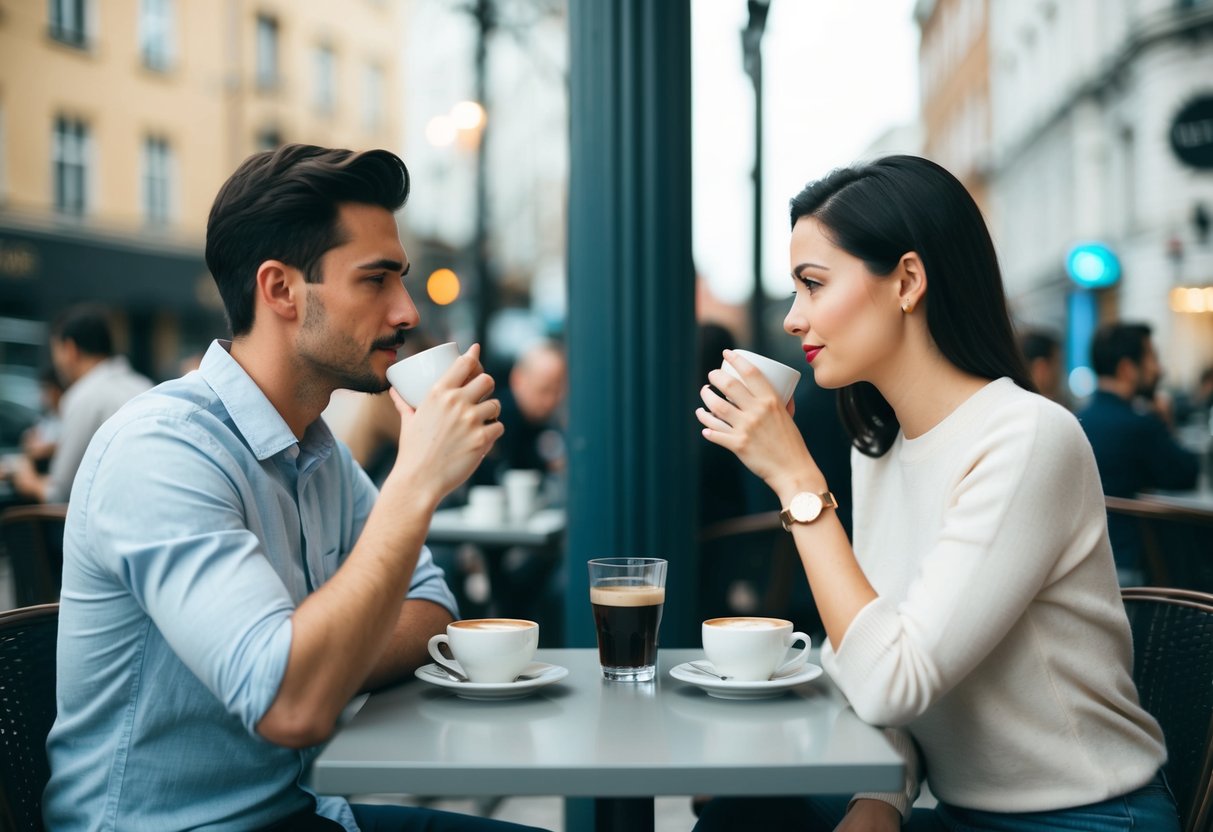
(846, 318)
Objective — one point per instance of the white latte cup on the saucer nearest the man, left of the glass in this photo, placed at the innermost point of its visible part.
(487, 651)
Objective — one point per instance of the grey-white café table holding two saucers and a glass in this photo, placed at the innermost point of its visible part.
(619, 743)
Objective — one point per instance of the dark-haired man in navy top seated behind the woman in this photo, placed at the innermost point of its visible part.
(1134, 448)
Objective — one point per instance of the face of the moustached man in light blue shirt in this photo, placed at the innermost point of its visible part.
(355, 320)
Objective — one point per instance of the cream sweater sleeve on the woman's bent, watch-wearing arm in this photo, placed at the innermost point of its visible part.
(1011, 516)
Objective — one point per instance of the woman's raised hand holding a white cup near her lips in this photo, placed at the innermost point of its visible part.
(751, 423)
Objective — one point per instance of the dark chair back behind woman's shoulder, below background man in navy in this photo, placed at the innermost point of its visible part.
(1177, 542)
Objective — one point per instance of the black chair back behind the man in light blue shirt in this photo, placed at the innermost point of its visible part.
(27, 711)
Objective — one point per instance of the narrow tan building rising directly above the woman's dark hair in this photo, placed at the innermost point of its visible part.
(954, 71)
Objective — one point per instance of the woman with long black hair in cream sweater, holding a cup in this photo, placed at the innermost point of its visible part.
(978, 613)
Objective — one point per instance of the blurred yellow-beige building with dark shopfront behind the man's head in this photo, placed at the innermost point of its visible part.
(119, 119)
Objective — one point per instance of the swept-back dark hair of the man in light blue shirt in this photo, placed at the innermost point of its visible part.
(283, 206)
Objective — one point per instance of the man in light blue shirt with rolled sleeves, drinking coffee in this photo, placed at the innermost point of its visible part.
(232, 579)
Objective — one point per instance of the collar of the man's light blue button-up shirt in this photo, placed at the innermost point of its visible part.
(253, 414)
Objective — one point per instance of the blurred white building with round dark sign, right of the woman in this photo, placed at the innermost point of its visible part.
(1085, 96)
